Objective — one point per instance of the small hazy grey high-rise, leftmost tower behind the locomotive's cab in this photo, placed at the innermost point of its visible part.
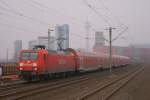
(17, 48)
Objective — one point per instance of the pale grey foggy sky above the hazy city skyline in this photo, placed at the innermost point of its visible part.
(26, 20)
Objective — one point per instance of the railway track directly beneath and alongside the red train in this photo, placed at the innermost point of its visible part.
(17, 87)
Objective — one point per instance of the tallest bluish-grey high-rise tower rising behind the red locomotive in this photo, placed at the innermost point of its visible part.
(62, 36)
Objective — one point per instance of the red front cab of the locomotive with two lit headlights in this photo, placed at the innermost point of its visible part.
(32, 62)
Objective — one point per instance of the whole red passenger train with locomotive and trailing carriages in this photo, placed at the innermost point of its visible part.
(41, 63)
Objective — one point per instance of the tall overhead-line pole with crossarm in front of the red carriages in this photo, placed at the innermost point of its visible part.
(110, 48)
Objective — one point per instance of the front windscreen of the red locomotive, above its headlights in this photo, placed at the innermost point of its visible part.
(29, 56)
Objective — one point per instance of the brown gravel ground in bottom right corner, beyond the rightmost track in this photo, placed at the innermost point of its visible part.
(137, 89)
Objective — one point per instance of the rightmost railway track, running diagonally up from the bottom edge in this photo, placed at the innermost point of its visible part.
(105, 91)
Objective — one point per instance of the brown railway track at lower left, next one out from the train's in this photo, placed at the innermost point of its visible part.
(31, 90)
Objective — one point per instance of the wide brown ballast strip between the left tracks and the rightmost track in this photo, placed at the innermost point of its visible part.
(72, 92)
